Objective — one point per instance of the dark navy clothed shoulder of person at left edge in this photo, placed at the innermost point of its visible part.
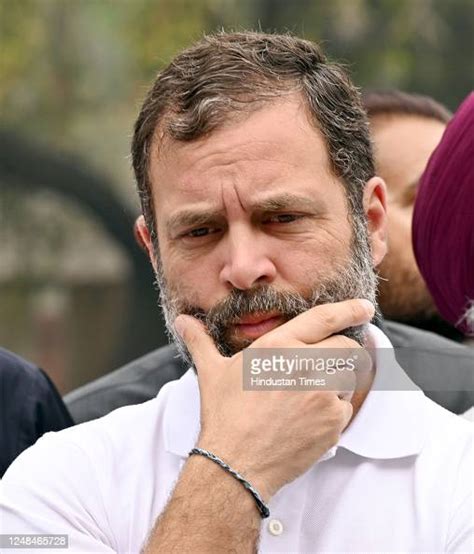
(30, 406)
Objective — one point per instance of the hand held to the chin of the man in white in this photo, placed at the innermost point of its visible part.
(272, 437)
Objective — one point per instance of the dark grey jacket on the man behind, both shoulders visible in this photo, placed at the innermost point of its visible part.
(443, 369)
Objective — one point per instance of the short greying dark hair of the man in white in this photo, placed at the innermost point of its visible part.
(225, 74)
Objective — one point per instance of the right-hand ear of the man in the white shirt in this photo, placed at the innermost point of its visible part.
(375, 207)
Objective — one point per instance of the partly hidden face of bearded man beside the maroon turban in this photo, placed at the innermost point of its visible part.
(405, 129)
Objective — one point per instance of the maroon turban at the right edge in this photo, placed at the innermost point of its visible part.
(443, 220)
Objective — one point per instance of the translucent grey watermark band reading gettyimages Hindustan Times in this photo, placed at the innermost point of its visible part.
(351, 369)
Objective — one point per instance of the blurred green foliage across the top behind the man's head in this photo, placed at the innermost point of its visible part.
(73, 71)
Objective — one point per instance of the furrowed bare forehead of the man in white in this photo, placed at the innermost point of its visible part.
(187, 167)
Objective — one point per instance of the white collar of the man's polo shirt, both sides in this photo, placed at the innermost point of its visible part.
(390, 423)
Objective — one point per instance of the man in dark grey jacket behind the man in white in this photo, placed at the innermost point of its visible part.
(405, 129)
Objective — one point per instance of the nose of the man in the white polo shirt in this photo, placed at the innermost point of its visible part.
(247, 260)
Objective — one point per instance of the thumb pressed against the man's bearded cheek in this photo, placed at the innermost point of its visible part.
(198, 341)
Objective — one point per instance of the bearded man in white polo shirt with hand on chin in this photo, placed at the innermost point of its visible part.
(264, 220)
